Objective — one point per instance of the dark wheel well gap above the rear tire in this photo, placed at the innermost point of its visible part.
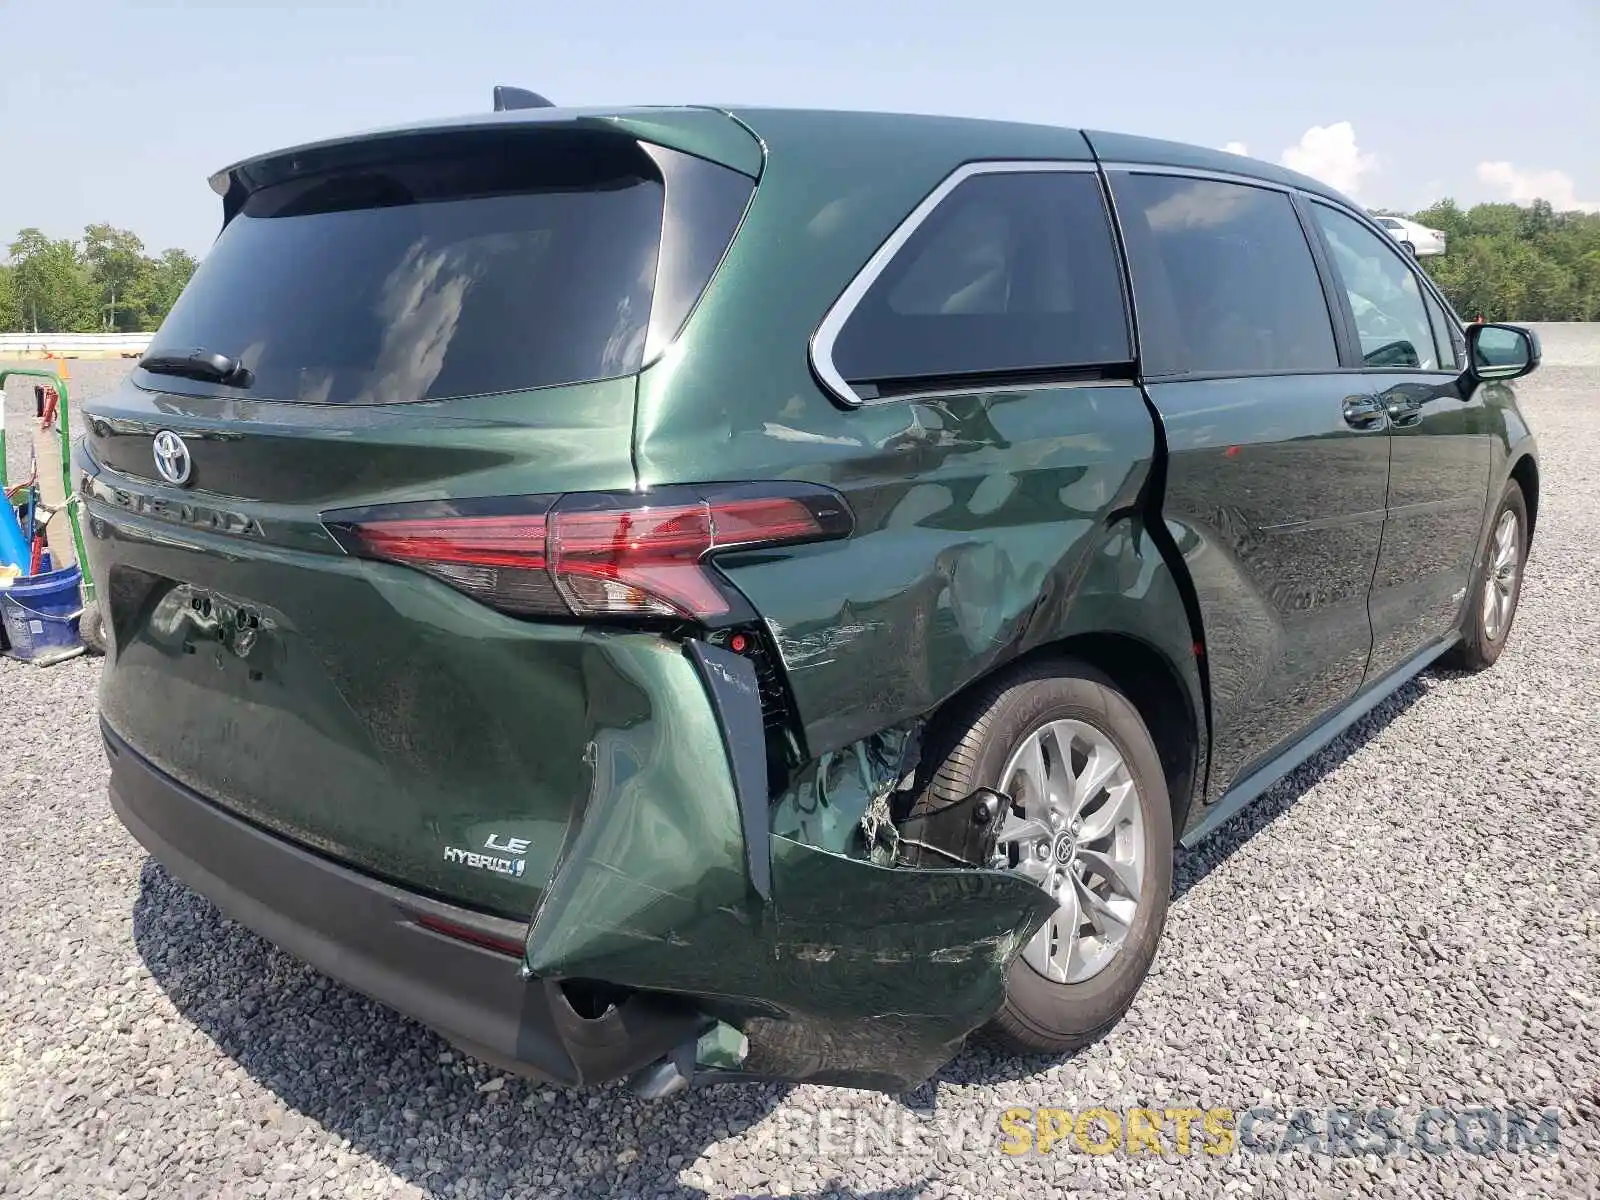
(1151, 686)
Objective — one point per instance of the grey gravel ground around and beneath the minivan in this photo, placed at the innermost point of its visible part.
(1414, 921)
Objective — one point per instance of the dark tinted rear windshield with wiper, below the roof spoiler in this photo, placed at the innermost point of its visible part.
(487, 266)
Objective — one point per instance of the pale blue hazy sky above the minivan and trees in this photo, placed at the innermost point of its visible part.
(124, 108)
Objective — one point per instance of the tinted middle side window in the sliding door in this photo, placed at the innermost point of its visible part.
(1223, 278)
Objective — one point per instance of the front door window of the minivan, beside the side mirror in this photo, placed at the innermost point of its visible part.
(1385, 297)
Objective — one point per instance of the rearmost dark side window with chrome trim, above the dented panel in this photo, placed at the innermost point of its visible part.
(1012, 273)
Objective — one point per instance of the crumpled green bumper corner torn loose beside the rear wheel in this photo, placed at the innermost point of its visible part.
(783, 921)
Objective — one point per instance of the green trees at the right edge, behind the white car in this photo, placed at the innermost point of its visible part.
(1511, 263)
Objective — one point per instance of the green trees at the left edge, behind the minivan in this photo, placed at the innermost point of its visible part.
(98, 284)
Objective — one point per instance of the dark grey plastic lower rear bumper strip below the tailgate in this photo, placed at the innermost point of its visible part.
(374, 938)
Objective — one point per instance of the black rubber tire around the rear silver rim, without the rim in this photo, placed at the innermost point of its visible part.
(970, 748)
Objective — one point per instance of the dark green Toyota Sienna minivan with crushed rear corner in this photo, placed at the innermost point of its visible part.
(705, 594)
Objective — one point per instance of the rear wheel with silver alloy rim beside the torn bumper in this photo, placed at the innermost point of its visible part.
(1090, 823)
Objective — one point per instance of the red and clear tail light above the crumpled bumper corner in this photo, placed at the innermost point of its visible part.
(596, 554)
